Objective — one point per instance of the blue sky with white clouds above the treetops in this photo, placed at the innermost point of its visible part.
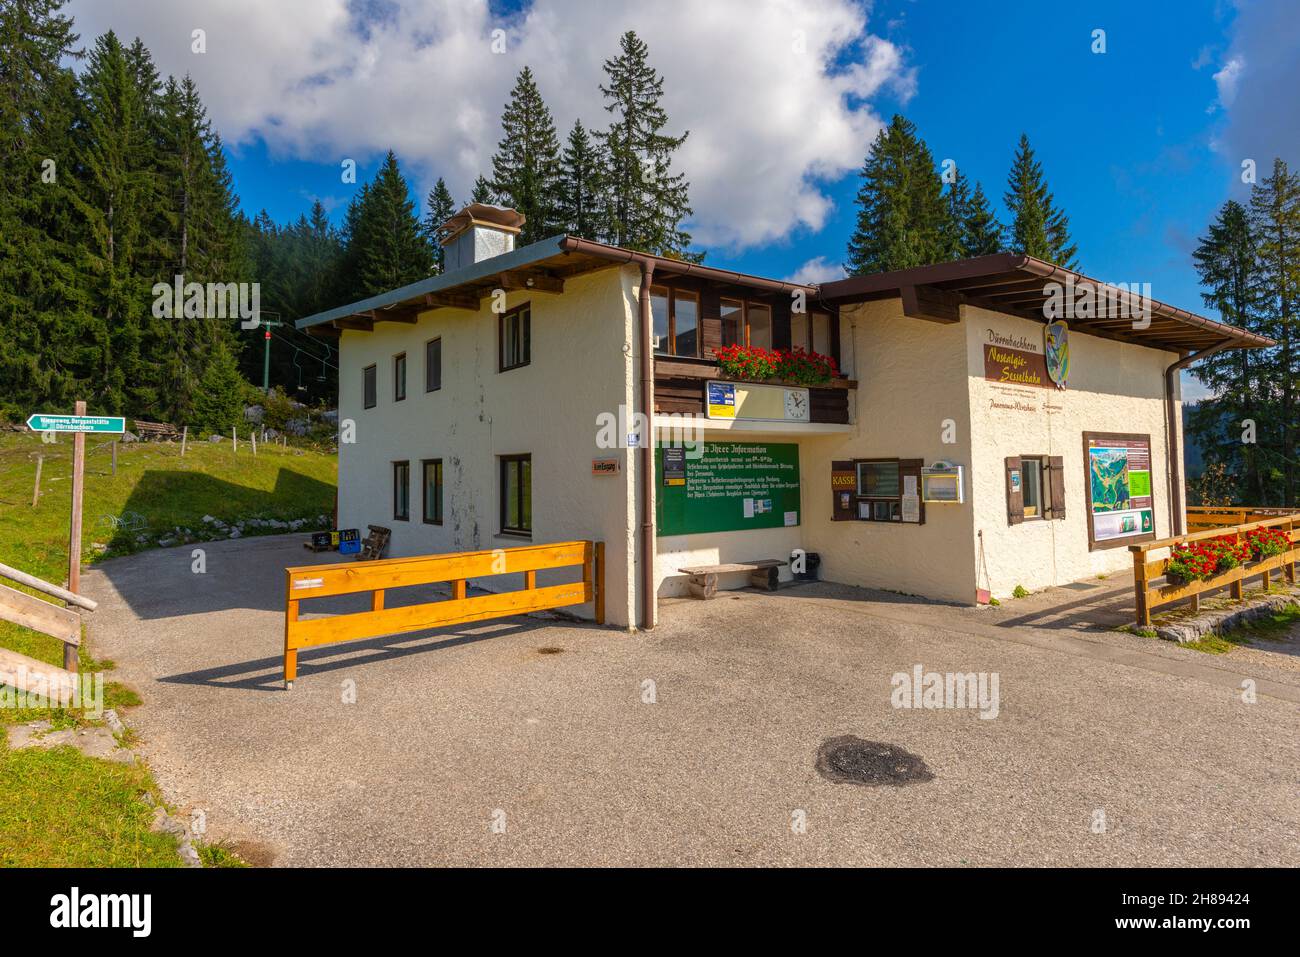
(1141, 144)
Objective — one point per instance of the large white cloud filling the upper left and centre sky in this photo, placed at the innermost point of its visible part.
(775, 93)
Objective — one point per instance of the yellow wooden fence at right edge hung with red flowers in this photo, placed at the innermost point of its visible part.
(1147, 570)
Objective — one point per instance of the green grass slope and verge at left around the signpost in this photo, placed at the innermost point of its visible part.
(59, 808)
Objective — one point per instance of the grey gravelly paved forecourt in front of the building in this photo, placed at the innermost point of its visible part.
(458, 733)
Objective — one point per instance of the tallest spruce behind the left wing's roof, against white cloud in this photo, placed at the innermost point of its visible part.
(647, 202)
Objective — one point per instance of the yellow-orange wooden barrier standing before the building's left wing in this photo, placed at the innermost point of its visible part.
(376, 578)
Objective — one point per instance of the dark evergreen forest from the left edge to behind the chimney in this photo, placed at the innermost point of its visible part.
(118, 181)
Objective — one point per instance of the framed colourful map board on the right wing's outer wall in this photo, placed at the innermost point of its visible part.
(1121, 503)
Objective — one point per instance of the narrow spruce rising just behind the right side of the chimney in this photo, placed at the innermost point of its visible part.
(526, 168)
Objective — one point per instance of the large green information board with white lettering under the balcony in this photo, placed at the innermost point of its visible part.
(729, 487)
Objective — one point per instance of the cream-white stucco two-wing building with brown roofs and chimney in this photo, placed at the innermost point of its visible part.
(499, 405)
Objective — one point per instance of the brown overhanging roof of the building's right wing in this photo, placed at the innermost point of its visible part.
(1020, 285)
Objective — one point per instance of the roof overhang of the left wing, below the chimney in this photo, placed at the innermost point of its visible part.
(541, 269)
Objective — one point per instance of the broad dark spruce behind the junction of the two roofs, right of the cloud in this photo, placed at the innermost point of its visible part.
(903, 219)
